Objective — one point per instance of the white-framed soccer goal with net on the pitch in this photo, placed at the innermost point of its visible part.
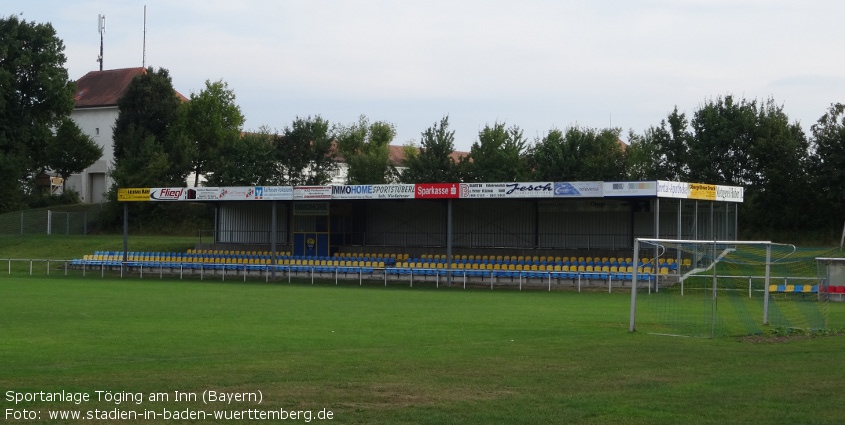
(724, 288)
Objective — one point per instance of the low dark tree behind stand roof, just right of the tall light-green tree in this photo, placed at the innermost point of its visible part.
(246, 161)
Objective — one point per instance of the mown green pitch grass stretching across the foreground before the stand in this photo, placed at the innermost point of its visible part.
(399, 355)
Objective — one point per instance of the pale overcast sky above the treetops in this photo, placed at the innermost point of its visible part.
(535, 64)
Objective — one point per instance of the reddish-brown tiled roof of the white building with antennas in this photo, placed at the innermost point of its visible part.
(104, 88)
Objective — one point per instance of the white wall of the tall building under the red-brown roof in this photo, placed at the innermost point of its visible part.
(97, 123)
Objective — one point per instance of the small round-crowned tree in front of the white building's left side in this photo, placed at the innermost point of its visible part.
(71, 151)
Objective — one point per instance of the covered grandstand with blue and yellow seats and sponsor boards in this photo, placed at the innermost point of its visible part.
(561, 232)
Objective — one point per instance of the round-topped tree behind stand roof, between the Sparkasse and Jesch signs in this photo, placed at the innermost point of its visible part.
(498, 156)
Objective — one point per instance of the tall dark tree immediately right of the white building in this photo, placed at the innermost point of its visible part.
(147, 153)
